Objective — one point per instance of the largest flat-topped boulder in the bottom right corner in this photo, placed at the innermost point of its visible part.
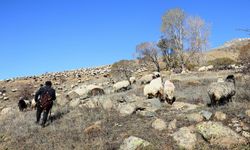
(217, 134)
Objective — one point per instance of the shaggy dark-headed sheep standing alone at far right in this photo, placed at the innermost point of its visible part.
(222, 92)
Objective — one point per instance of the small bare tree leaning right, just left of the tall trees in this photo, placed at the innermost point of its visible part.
(149, 52)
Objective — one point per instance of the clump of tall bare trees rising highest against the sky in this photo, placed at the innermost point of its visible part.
(186, 36)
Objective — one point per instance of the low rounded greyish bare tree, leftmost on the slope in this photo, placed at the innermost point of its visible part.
(122, 69)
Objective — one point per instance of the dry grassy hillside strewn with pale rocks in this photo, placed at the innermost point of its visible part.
(92, 111)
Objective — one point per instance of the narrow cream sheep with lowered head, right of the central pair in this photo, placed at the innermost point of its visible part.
(169, 89)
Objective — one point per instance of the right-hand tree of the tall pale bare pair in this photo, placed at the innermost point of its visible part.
(197, 32)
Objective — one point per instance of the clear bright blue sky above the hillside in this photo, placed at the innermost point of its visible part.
(38, 36)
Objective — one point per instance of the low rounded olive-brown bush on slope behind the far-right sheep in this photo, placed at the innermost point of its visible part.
(221, 63)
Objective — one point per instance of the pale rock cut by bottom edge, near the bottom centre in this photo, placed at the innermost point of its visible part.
(135, 143)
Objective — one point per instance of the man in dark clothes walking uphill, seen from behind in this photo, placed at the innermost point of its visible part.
(44, 98)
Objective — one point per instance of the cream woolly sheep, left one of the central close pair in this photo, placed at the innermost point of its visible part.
(154, 89)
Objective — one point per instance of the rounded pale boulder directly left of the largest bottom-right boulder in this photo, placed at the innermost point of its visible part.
(185, 138)
